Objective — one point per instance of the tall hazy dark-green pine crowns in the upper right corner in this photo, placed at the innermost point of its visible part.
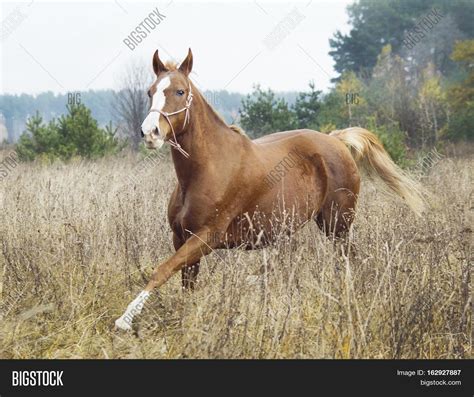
(378, 23)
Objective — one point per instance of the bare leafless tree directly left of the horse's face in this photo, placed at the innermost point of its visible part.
(131, 101)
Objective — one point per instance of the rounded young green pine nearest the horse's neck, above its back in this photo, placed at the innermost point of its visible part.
(263, 113)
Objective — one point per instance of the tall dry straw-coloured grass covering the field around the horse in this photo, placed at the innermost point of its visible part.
(78, 243)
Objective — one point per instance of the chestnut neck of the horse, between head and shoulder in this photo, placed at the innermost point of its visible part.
(207, 140)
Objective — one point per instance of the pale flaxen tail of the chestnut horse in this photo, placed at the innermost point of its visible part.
(371, 155)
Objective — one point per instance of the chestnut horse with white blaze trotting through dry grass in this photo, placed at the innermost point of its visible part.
(231, 189)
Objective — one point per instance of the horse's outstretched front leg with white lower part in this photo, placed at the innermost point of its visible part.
(189, 253)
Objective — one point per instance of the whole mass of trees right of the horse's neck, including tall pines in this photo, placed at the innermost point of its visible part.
(406, 72)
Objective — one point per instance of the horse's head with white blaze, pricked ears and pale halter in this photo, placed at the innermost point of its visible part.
(171, 97)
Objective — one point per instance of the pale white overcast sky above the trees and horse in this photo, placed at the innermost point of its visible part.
(69, 46)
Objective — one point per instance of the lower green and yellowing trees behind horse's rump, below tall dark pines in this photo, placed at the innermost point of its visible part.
(405, 110)
